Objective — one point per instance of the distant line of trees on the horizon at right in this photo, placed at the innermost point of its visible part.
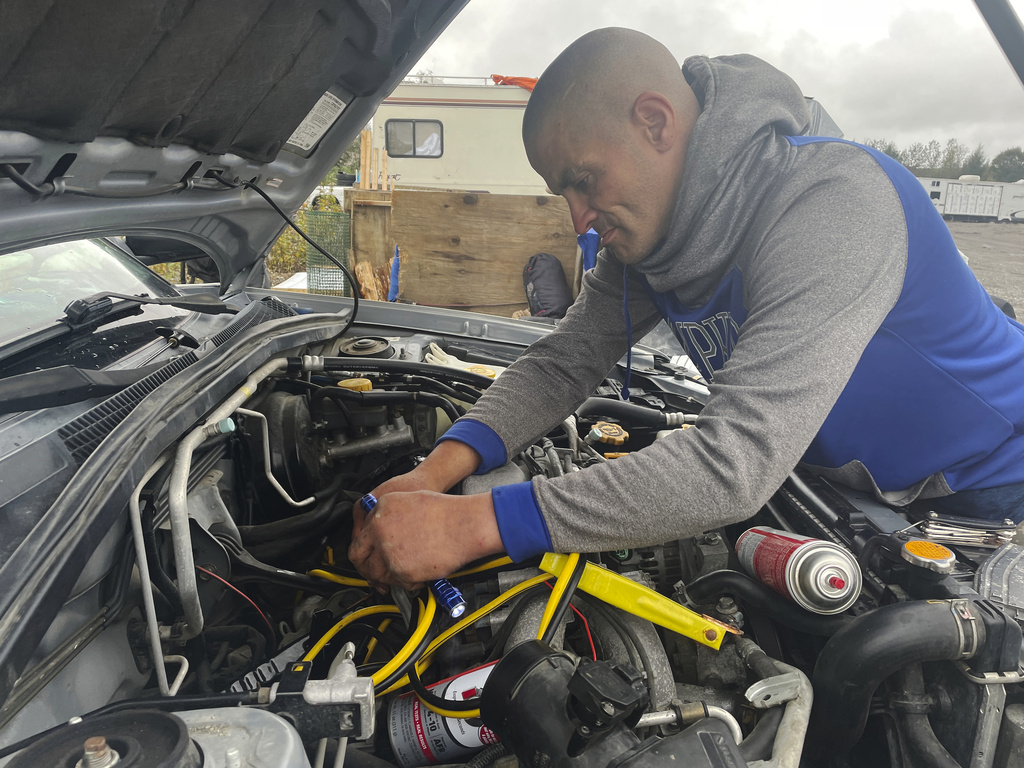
(955, 160)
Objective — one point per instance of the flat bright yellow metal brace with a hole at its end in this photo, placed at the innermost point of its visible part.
(644, 603)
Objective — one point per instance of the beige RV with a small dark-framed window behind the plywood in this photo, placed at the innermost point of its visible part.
(456, 134)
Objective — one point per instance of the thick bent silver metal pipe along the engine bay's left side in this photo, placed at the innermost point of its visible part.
(179, 492)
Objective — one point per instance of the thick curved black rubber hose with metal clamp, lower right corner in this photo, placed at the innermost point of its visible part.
(860, 657)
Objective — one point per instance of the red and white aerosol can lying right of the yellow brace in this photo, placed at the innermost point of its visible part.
(819, 576)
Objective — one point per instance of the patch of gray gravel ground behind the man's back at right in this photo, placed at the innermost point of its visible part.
(996, 253)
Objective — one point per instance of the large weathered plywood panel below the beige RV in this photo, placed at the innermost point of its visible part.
(462, 249)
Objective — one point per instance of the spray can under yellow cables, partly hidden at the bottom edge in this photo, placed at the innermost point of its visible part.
(421, 737)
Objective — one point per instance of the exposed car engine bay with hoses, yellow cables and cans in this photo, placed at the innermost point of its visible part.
(829, 630)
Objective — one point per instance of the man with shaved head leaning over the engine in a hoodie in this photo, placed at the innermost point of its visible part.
(812, 282)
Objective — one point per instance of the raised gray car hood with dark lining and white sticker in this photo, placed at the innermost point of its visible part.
(124, 113)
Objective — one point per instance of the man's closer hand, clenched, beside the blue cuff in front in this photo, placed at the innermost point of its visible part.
(412, 538)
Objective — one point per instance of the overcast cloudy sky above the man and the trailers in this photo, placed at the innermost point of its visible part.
(903, 70)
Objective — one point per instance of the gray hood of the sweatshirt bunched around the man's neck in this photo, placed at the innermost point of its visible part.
(747, 104)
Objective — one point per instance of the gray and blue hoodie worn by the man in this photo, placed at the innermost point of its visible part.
(823, 297)
